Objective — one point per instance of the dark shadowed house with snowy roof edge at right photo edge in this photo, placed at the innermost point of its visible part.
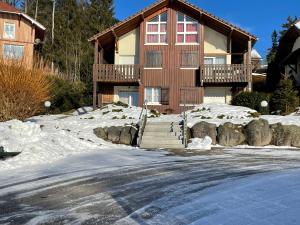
(288, 54)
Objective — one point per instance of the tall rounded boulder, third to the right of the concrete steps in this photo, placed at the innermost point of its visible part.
(258, 133)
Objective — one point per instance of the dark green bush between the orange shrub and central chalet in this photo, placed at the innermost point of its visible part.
(67, 96)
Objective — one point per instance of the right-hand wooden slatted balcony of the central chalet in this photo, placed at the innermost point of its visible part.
(231, 73)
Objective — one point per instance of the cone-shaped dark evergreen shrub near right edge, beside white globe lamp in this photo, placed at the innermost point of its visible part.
(285, 98)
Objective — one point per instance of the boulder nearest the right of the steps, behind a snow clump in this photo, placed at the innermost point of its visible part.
(203, 129)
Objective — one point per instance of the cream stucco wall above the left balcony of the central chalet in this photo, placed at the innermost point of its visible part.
(128, 45)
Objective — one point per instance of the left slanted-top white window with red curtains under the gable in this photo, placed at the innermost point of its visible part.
(156, 32)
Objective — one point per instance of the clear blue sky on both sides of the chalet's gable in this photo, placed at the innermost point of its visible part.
(259, 17)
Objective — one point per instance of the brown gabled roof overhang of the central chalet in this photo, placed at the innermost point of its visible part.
(124, 26)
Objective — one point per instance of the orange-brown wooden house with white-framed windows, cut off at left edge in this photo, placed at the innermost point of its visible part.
(20, 34)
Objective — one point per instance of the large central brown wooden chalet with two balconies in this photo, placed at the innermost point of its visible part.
(172, 54)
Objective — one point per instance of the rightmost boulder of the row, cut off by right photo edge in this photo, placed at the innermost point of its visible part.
(285, 135)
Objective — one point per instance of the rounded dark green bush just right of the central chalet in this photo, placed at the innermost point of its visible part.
(252, 100)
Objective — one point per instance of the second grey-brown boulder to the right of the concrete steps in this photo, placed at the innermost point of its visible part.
(230, 134)
